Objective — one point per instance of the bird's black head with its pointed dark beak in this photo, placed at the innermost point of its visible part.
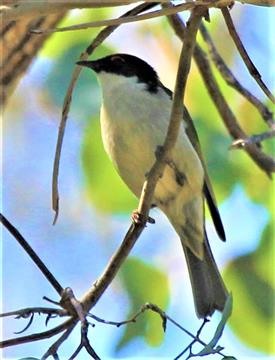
(128, 66)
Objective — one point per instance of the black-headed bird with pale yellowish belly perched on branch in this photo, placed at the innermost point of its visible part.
(134, 119)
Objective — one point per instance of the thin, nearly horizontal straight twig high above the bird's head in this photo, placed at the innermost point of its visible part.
(131, 18)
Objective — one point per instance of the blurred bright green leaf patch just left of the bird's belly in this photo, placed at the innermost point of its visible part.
(104, 188)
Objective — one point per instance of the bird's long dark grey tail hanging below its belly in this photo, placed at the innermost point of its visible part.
(209, 290)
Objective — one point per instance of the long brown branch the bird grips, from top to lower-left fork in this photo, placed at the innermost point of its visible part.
(93, 295)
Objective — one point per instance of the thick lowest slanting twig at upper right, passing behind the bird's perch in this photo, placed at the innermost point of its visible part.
(264, 161)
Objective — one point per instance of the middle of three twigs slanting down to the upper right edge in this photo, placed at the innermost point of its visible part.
(231, 80)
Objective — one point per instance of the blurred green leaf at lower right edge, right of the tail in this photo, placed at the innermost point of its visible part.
(251, 279)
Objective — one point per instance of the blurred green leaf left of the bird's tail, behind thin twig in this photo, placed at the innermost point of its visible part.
(144, 283)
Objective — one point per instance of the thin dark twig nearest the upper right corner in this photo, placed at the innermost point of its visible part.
(244, 55)
